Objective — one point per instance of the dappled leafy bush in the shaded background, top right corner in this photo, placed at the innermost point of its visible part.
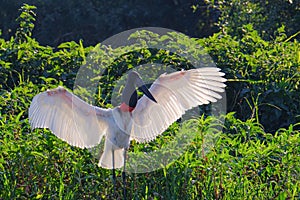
(265, 16)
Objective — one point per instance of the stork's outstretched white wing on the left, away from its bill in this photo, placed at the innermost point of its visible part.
(68, 117)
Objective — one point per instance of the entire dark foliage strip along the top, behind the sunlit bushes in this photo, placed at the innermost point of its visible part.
(93, 20)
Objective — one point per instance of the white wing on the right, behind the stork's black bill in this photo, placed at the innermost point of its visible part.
(175, 93)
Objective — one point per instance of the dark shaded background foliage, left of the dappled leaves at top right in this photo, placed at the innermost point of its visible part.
(93, 21)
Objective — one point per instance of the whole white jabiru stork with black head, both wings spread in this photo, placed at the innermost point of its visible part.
(83, 125)
